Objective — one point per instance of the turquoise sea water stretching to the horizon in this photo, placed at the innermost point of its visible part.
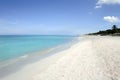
(12, 46)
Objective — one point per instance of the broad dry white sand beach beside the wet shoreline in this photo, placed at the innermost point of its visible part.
(93, 58)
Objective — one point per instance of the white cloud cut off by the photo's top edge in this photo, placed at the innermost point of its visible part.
(103, 2)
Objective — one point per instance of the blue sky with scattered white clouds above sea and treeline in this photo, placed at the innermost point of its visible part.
(57, 17)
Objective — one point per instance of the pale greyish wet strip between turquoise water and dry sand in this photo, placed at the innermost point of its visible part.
(14, 65)
